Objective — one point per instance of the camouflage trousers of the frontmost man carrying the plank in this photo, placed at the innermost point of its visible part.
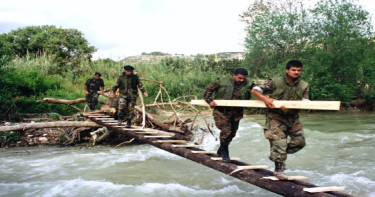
(277, 130)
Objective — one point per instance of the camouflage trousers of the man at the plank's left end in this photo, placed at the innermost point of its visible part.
(228, 123)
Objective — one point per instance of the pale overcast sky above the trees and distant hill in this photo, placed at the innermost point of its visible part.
(121, 28)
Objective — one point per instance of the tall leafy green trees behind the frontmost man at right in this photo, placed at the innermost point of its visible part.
(333, 39)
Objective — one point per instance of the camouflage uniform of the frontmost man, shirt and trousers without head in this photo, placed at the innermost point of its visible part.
(279, 123)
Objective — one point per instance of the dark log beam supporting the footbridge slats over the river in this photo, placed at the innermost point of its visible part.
(255, 177)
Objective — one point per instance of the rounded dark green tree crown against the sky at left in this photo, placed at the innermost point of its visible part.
(65, 46)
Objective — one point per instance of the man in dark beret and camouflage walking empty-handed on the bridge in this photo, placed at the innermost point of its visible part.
(127, 84)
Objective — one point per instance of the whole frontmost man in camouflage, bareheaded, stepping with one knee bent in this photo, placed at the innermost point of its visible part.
(281, 123)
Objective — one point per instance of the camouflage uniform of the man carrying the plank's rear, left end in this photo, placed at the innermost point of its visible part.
(227, 119)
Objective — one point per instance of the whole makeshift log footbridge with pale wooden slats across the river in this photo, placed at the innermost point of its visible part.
(256, 175)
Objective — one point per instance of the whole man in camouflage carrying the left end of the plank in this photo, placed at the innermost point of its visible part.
(227, 119)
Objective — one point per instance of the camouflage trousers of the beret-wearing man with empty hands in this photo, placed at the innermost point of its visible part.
(126, 107)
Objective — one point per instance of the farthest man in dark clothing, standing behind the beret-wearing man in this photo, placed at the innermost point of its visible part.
(92, 86)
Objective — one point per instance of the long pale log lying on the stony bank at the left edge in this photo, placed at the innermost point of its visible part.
(40, 125)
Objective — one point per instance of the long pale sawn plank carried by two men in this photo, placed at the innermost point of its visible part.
(316, 105)
